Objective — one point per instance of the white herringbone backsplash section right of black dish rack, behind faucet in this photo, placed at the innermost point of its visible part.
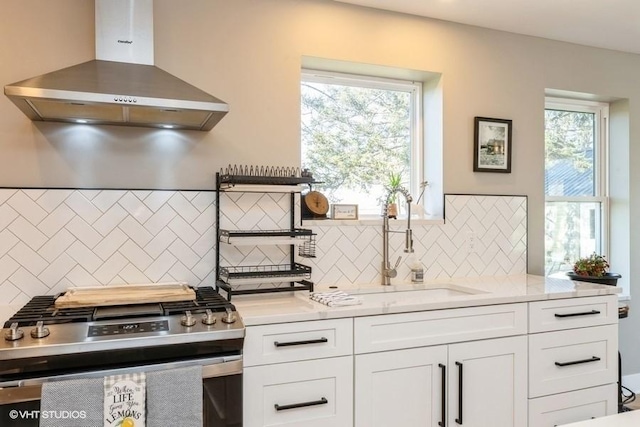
(353, 254)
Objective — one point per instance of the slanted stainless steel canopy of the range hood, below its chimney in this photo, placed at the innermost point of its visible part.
(108, 92)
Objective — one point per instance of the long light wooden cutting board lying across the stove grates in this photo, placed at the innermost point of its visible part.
(99, 296)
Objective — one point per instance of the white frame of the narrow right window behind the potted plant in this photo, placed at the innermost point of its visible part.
(601, 160)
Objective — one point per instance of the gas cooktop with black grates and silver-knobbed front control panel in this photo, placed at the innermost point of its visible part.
(39, 329)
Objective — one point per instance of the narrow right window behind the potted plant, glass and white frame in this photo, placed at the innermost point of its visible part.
(576, 140)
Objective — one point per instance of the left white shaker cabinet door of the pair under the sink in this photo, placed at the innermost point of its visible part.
(400, 388)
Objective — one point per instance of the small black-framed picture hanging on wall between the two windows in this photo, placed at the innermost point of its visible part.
(492, 145)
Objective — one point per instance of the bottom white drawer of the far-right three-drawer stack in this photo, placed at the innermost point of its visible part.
(574, 406)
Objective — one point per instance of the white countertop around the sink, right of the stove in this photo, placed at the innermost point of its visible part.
(377, 299)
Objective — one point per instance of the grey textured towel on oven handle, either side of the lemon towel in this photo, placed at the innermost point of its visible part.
(174, 398)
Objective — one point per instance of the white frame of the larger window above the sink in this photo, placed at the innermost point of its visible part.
(415, 88)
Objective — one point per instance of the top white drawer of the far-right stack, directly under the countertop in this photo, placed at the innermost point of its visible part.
(572, 313)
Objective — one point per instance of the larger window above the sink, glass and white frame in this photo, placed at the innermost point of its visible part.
(356, 131)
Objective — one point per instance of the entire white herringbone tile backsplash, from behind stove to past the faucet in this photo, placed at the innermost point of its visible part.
(52, 239)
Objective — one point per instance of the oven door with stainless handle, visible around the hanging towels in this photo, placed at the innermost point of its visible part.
(221, 383)
